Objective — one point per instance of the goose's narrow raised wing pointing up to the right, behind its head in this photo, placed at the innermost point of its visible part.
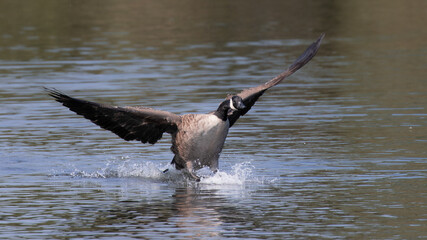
(251, 95)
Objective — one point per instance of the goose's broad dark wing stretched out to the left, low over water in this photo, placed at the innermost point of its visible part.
(129, 123)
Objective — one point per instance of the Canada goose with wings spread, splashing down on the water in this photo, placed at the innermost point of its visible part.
(197, 139)
